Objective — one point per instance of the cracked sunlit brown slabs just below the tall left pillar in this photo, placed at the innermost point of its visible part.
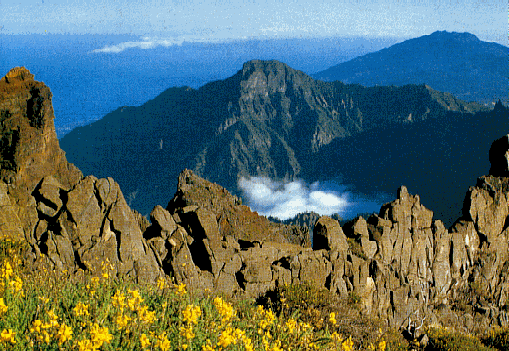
(89, 224)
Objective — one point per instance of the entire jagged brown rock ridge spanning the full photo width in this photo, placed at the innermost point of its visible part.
(402, 264)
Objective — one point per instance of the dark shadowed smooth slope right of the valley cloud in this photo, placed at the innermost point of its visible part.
(438, 159)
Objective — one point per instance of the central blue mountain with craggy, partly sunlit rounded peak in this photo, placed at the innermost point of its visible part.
(266, 120)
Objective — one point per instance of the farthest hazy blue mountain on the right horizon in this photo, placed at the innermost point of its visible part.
(458, 63)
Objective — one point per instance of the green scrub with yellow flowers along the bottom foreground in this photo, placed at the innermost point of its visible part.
(46, 310)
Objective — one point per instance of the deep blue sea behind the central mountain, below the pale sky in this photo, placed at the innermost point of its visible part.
(86, 85)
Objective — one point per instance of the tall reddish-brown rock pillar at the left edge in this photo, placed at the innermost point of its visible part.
(29, 148)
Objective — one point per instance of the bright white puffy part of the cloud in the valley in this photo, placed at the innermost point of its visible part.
(284, 200)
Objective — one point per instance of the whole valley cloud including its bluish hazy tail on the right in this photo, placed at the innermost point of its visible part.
(284, 200)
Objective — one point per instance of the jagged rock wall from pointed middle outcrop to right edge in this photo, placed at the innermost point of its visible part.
(404, 265)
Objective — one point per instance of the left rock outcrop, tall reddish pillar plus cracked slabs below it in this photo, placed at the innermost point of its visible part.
(73, 223)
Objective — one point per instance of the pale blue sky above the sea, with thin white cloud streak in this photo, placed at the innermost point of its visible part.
(165, 23)
